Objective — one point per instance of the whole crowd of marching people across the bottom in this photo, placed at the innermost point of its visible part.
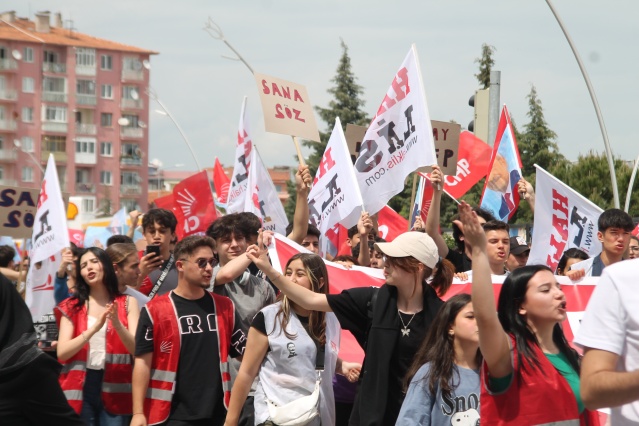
(207, 331)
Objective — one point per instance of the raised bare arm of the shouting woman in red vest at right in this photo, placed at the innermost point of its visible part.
(493, 341)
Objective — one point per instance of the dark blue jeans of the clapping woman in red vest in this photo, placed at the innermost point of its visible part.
(93, 411)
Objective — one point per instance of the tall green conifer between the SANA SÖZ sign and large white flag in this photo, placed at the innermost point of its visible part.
(347, 104)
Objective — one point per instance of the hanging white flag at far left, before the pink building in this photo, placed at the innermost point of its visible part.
(50, 236)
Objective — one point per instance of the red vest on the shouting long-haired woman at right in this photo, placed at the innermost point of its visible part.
(536, 396)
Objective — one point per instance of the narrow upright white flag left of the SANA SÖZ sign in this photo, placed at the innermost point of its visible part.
(237, 192)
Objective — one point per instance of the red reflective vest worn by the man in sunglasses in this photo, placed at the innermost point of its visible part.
(166, 353)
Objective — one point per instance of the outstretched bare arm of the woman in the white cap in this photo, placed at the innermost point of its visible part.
(298, 294)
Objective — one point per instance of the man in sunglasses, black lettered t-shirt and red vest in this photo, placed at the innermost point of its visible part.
(194, 330)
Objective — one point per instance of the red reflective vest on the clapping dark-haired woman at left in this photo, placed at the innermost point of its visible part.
(118, 365)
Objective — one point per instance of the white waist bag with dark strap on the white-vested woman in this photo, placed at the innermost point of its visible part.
(303, 410)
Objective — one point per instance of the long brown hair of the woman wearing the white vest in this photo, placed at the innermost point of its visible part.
(316, 271)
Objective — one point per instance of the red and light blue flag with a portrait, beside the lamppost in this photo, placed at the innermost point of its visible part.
(500, 196)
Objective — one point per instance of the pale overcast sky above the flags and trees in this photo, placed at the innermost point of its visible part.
(299, 41)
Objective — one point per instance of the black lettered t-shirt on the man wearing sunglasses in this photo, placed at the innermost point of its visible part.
(198, 377)
